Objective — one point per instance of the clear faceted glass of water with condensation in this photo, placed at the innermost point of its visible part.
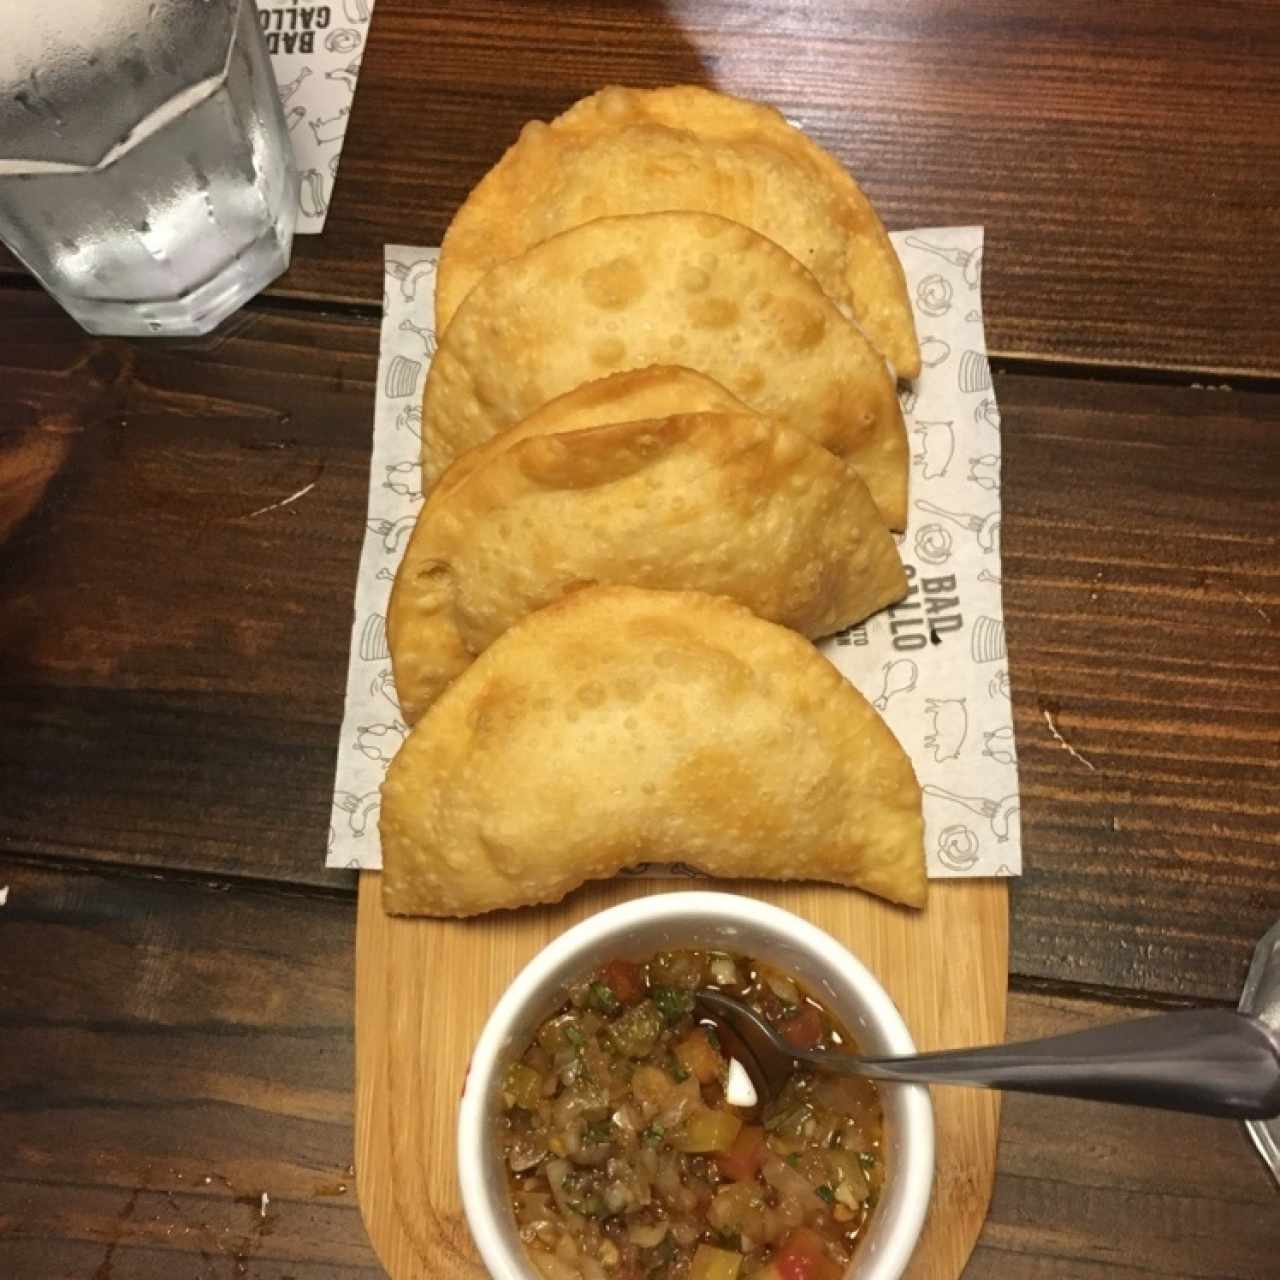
(147, 175)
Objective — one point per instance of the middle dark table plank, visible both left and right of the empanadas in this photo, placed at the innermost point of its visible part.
(172, 670)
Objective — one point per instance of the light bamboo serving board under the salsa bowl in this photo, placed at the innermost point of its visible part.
(424, 990)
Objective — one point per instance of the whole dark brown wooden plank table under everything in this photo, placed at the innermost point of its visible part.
(176, 966)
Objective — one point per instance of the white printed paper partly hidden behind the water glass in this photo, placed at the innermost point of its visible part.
(316, 53)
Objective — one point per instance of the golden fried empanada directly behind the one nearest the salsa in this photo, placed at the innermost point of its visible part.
(726, 504)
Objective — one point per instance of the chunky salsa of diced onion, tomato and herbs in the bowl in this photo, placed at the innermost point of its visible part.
(627, 1162)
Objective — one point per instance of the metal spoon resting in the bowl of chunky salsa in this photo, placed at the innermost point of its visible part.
(1212, 1062)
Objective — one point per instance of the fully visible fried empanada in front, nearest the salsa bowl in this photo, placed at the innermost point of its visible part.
(623, 725)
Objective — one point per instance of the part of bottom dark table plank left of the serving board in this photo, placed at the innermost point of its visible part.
(171, 1055)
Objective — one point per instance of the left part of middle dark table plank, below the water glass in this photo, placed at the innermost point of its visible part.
(156, 552)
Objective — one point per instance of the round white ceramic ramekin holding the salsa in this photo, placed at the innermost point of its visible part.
(726, 921)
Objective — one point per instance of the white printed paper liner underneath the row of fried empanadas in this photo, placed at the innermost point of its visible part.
(935, 665)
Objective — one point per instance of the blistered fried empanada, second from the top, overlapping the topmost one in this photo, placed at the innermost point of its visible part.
(679, 287)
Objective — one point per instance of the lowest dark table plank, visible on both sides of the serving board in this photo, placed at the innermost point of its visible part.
(198, 1048)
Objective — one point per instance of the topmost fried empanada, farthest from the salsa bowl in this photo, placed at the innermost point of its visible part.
(638, 152)
